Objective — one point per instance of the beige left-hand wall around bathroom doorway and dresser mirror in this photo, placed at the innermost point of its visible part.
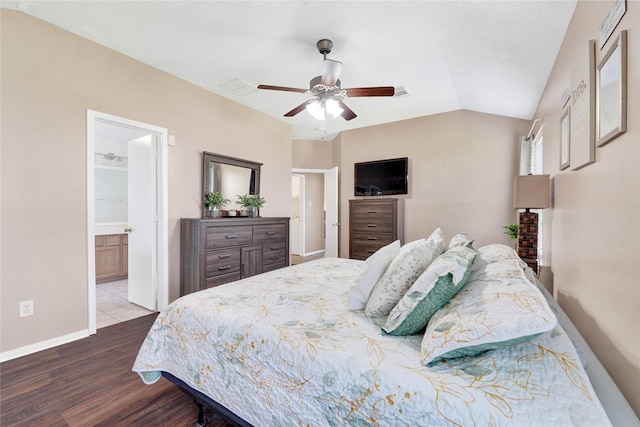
(49, 79)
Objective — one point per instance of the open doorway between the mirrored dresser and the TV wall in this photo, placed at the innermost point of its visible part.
(314, 214)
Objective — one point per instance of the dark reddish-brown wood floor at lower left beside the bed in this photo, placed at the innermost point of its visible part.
(90, 383)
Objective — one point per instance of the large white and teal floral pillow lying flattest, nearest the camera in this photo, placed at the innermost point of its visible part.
(501, 309)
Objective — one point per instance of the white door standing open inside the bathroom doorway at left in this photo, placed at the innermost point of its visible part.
(142, 222)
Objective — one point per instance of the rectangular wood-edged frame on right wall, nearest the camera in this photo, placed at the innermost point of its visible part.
(611, 93)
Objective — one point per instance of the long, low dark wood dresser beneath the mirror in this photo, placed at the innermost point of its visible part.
(217, 251)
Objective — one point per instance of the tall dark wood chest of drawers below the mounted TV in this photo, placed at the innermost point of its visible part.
(374, 223)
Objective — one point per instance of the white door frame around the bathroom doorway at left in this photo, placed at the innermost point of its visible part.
(161, 230)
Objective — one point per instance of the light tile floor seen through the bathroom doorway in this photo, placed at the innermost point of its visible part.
(112, 304)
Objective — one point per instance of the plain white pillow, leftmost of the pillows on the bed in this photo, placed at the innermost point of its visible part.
(374, 268)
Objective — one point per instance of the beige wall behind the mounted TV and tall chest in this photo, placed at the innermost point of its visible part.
(460, 177)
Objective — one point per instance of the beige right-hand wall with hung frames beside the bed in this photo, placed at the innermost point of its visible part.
(595, 220)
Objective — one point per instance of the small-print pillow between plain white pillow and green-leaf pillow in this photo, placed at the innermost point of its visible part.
(403, 271)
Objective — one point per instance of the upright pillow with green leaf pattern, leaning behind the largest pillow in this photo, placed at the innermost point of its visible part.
(433, 289)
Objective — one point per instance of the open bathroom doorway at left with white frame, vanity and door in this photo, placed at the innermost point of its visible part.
(127, 219)
